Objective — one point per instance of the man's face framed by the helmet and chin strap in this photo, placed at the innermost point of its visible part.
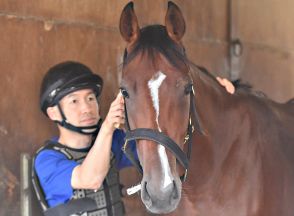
(81, 108)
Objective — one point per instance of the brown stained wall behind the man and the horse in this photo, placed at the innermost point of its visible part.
(37, 34)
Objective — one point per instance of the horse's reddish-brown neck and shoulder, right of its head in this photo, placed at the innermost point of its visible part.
(234, 159)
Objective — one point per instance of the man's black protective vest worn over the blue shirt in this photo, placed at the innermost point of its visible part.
(106, 201)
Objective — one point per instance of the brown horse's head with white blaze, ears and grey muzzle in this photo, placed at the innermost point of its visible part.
(155, 82)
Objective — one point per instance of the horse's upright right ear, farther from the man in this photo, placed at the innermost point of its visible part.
(174, 22)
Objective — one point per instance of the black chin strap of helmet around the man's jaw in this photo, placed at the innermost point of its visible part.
(87, 130)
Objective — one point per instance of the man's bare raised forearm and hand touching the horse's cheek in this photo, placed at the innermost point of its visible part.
(91, 173)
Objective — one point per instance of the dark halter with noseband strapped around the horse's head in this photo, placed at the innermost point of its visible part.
(161, 138)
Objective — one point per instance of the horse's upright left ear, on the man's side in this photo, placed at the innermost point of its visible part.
(128, 24)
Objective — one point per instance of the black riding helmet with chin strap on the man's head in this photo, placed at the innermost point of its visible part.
(65, 78)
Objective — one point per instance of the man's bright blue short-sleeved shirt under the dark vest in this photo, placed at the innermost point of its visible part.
(54, 170)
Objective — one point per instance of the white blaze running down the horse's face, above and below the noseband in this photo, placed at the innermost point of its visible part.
(154, 83)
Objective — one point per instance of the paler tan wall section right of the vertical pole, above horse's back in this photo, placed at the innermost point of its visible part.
(265, 28)
